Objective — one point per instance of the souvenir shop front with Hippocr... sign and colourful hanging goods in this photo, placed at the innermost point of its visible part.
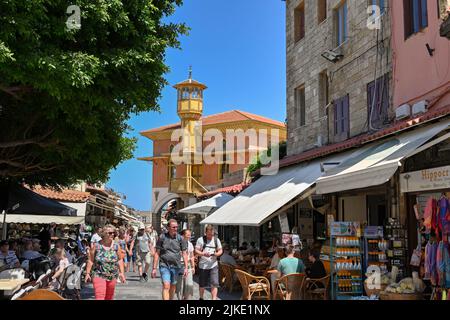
(425, 185)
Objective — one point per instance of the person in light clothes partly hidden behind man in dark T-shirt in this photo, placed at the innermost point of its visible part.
(185, 285)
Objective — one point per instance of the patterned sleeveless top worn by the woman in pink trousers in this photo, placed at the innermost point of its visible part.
(106, 262)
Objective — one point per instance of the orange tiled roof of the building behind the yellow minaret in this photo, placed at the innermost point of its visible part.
(228, 116)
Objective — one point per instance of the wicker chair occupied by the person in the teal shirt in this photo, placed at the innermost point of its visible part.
(290, 287)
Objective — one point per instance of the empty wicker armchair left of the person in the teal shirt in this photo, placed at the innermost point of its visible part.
(253, 287)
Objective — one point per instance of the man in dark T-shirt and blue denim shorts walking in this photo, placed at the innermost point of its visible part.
(170, 248)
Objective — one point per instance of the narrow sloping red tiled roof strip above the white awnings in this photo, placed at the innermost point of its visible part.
(365, 138)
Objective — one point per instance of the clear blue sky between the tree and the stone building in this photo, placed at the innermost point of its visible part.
(235, 47)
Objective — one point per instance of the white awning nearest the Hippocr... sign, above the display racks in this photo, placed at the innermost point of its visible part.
(377, 162)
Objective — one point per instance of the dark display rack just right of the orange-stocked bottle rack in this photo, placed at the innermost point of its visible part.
(375, 249)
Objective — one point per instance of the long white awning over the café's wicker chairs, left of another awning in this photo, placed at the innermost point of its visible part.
(265, 197)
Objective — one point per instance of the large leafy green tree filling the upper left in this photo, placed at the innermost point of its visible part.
(66, 93)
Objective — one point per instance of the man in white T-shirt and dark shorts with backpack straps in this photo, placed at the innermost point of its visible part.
(208, 248)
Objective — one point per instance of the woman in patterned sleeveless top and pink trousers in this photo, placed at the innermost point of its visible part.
(105, 265)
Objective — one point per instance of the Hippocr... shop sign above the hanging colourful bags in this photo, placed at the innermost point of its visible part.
(428, 179)
